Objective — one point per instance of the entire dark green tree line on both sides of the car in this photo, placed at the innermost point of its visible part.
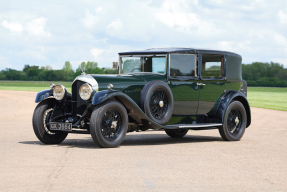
(256, 74)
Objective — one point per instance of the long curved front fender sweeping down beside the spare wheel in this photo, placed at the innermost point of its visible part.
(133, 109)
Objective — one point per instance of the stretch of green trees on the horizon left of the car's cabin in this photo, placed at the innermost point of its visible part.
(36, 73)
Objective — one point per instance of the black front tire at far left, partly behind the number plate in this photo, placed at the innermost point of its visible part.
(40, 118)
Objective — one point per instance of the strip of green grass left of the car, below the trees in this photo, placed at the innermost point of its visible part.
(31, 85)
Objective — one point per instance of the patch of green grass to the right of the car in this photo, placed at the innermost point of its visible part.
(268, 97)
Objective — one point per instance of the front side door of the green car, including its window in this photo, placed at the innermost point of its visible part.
(183, 83)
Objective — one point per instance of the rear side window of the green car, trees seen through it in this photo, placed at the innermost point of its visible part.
(212, 66)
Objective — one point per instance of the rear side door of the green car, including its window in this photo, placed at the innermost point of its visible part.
(212, 81)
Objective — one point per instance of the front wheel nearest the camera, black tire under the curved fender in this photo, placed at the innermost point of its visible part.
(101, 124)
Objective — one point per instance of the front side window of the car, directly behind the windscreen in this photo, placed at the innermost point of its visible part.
(182, 65)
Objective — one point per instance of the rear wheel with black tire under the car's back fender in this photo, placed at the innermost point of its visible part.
(234, 124)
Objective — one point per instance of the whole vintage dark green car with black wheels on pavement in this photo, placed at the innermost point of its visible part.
(170, 89)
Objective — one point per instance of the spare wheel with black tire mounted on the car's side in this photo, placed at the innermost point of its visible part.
(152, 94)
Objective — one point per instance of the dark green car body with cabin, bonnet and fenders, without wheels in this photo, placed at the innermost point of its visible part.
(201, 94)
